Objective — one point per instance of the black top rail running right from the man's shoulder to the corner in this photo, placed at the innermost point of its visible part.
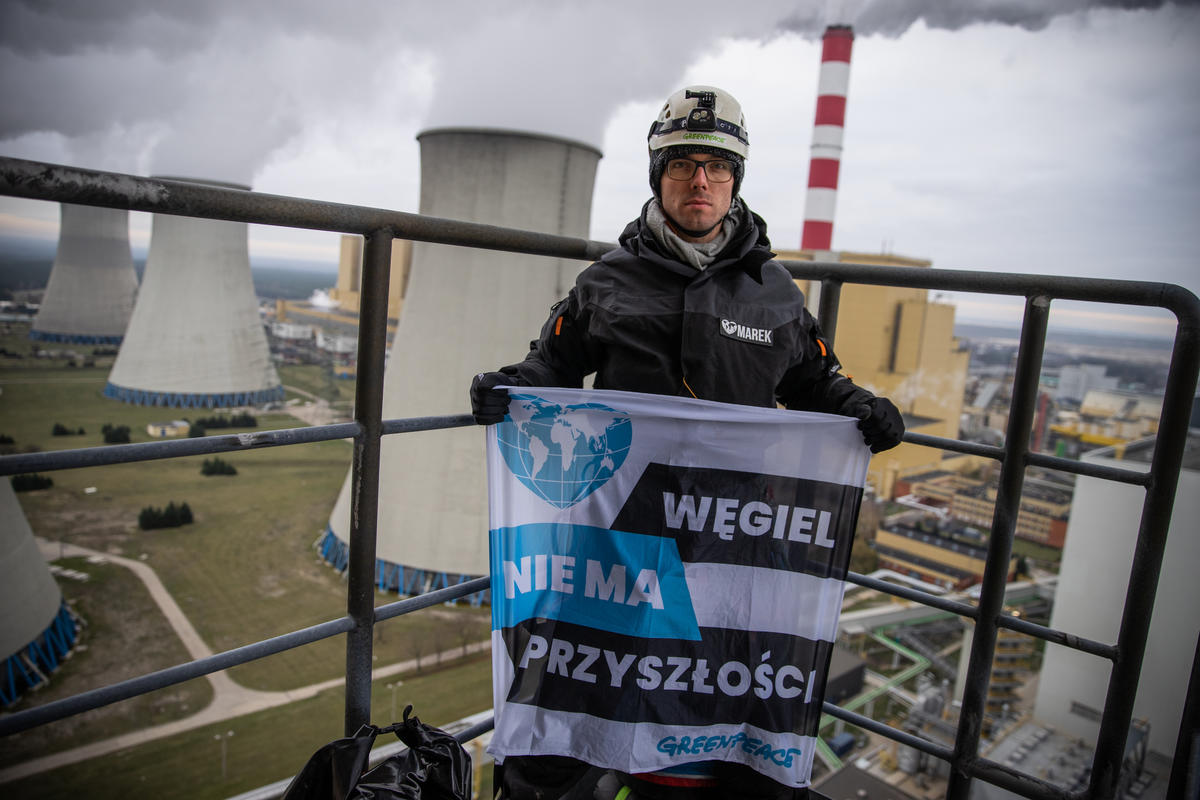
(1057, 287)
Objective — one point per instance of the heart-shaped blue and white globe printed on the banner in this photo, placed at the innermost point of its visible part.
(563, 455)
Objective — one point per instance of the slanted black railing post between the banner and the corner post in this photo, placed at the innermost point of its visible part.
(1000, 543)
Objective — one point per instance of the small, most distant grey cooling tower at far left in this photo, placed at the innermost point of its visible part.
(93, 285)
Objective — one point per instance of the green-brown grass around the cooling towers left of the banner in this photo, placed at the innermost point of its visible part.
(245, 570)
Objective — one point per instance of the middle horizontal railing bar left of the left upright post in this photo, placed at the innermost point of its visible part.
(105, 455)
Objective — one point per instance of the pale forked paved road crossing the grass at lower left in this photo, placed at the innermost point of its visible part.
(230, 700)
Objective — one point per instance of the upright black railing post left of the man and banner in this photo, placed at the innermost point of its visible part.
(365, 476)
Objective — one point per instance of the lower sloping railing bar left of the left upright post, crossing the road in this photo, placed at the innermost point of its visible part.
(170, 677)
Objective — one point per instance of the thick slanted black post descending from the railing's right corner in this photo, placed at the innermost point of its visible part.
(1148, 562)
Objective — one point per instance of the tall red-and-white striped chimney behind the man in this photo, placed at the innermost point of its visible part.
(831, 119)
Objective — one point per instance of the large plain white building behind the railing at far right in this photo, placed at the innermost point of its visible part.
(1101, 540)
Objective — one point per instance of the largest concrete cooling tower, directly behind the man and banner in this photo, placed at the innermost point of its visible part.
(467, 311)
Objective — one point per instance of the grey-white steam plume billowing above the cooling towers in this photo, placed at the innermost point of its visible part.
(214, 89)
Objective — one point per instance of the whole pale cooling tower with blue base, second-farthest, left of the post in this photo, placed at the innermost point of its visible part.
(195, 339)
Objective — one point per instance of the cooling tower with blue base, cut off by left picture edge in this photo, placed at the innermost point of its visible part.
(37, 628)
